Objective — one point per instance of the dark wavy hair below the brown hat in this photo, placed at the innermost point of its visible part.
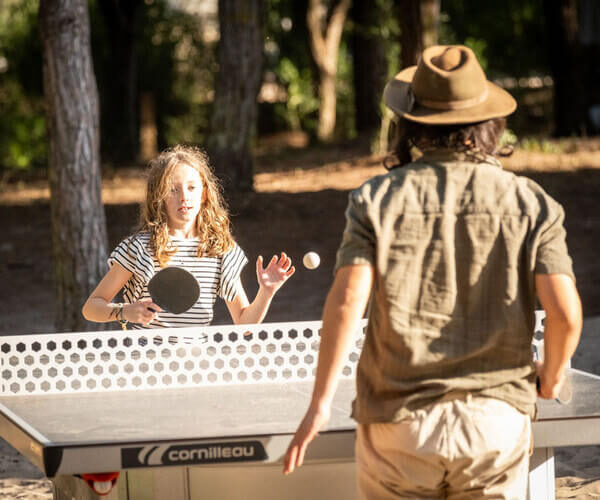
(475, 139)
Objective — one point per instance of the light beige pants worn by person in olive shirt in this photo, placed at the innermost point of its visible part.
(462, 447)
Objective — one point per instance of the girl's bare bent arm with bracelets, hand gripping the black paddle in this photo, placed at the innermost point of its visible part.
(100, 309)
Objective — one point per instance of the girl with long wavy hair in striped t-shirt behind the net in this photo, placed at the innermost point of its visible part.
(183, 223)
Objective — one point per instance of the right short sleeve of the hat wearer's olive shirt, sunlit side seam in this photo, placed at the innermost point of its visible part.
(552, 255)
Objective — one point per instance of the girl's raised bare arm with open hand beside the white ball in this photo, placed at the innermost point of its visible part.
(270, 280)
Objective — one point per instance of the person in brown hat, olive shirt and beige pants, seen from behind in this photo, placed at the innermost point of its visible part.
(451, 251)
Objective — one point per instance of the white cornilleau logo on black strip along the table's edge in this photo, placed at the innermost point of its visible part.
(199, 453)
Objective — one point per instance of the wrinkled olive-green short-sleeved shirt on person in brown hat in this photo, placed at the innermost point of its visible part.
(455, 246)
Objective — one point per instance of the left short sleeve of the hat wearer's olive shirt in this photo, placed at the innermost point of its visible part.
(358, 241)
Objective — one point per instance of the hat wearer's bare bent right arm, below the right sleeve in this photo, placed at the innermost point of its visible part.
(559, 298)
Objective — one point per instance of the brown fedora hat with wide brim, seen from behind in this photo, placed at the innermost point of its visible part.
(447, 87)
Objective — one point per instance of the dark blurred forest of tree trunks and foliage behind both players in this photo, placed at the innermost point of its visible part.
(91, 89)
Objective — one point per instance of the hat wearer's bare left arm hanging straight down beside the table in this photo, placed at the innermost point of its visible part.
(345, 305)
